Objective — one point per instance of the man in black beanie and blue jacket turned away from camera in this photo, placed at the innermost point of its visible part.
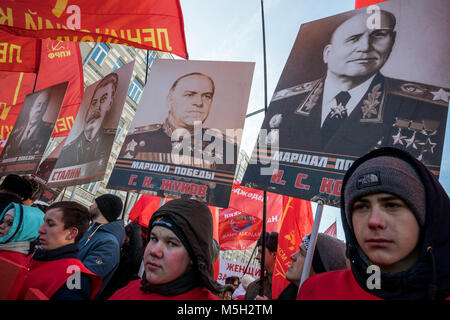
(100, 246)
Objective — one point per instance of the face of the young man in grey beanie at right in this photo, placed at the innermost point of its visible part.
(386, 230)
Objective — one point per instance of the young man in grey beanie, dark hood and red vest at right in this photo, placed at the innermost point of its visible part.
(395, 216)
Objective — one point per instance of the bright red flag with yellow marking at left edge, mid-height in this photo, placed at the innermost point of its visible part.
(14, 86)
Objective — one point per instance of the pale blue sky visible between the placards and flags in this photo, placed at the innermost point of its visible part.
(231, 30)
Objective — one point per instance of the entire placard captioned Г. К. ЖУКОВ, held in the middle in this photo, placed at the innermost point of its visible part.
(189, 120)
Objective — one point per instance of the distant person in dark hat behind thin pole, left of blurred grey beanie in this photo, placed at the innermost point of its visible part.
(269, 265)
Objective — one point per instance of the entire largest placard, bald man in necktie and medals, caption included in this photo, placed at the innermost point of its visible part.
(334, 103)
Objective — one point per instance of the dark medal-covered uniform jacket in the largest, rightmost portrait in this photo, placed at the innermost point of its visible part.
(398, 113)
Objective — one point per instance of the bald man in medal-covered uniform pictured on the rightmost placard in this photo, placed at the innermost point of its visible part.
(354, 108)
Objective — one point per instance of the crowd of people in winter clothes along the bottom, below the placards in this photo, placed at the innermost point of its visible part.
(395, 218)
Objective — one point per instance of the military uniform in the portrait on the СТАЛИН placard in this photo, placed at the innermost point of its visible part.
(81, 150)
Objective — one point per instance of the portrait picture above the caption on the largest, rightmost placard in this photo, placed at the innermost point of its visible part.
(334, 96)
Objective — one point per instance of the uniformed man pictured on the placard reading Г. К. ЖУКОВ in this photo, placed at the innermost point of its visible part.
(182, 137)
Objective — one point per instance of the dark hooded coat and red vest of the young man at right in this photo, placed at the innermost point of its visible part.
(429, 278)
